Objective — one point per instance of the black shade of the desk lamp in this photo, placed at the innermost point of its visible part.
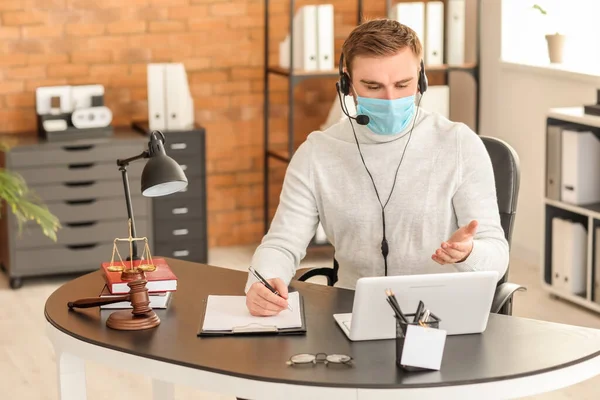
(162, 176)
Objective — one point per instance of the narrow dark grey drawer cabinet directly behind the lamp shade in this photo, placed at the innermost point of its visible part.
(180, 220)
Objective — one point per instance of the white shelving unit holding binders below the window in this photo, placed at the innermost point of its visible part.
(588, 215)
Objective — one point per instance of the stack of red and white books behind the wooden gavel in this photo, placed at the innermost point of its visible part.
(161, 284)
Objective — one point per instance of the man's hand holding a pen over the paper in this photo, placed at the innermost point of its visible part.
(261, 302)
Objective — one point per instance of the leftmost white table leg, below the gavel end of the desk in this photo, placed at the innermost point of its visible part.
(71, 377)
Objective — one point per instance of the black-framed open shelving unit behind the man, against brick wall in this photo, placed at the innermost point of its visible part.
(296, 76)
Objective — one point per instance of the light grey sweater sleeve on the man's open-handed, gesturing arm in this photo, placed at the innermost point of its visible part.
(475, 199)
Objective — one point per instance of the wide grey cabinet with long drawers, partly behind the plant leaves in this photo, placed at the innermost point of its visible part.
(80, 183)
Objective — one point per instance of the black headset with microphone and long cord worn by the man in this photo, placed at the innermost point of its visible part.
(343, 87)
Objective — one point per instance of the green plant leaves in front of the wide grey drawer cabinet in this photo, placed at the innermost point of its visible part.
(24, 203)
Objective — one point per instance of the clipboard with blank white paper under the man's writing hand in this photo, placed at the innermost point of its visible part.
(228, 315)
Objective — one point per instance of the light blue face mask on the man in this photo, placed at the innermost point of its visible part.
(387, 117)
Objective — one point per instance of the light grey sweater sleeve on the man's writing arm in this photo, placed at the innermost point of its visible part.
(294, 224)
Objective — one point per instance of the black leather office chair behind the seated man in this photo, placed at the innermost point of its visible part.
(505, 163)
